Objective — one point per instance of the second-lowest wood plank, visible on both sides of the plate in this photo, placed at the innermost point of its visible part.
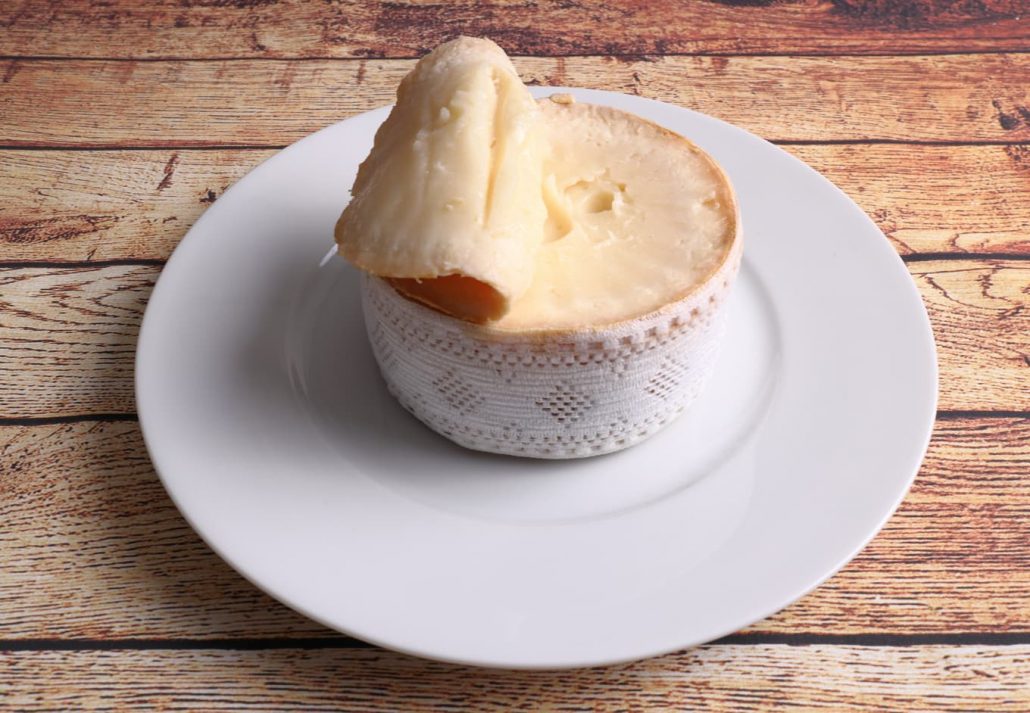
(93, 548)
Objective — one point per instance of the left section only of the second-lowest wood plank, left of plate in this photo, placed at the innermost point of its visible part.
(113, 558)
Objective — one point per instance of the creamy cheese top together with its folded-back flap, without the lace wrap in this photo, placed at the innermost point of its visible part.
(493, 208)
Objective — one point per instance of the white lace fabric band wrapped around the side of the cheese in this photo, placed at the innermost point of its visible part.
(557, 395)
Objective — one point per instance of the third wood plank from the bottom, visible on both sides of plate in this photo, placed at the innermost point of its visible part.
(67, 335)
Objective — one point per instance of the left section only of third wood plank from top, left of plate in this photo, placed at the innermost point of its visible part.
(110, 206)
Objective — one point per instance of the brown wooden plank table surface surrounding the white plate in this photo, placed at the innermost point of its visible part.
(122, 122)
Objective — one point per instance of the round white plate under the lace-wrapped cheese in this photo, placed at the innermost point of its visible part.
(267, 421)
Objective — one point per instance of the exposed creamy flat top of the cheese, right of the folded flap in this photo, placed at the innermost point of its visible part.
(637, 218)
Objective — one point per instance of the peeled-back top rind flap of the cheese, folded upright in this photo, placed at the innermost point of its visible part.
(449, 202)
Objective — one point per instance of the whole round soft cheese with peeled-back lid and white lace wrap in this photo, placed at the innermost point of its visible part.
(588, 255)
